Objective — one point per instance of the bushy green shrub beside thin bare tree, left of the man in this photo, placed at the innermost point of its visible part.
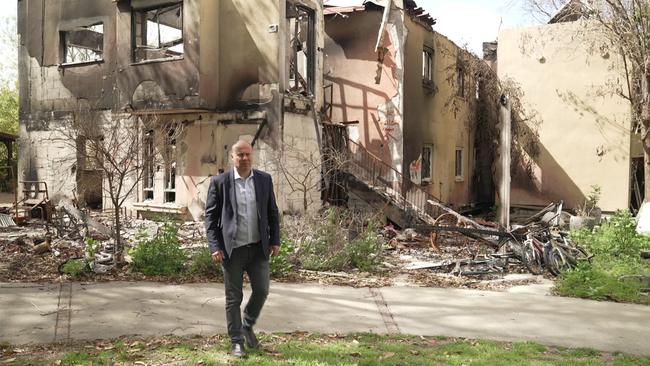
(161, 255)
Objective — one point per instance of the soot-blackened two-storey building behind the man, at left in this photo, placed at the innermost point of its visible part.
(187, 77)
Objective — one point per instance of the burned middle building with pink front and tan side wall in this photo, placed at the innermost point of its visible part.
(405, 94)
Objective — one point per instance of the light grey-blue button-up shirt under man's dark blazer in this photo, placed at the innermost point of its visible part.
(247, 220)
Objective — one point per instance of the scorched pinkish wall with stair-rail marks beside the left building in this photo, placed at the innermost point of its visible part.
(351, 68)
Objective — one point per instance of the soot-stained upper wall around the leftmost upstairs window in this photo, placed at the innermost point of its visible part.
(47, 87)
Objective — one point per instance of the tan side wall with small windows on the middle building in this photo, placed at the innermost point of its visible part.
(439, 118)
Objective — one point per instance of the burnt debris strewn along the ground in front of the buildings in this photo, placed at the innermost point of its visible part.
(449, 254)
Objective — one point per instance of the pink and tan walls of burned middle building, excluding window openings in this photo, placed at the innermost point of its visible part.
(399, 97)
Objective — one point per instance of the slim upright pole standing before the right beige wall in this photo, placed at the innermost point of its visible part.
(504, 151)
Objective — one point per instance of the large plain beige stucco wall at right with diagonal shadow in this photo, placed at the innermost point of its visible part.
(565, 72)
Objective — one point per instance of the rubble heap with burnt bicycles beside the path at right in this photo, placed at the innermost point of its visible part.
(539, 245)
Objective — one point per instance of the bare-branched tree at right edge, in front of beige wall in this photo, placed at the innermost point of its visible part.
(626, 24)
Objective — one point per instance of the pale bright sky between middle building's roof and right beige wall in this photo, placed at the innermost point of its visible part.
(472, 22)
